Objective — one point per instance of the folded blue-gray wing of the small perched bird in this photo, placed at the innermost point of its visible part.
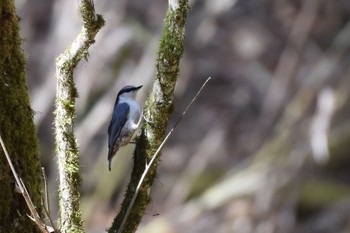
(119, 117)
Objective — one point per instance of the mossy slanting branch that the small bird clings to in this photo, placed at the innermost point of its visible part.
(158, 108)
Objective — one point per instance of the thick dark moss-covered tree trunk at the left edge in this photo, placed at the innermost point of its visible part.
(16, 128)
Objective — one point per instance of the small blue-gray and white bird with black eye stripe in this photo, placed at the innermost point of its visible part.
(125, 120)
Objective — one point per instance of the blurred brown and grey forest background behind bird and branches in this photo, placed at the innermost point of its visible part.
(264, 149)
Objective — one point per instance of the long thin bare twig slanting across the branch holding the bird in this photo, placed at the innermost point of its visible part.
(156, 154)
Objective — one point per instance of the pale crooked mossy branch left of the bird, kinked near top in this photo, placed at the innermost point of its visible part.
(66, 146)
